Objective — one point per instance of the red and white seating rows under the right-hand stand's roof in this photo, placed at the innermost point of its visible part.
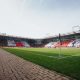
(68, 43)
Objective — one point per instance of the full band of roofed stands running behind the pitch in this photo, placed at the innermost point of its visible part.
(67, 40)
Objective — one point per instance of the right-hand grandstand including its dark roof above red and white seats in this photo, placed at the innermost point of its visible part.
(67, 40)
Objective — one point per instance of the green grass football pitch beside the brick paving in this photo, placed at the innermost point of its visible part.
(65, 60)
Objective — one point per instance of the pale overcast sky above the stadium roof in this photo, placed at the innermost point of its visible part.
(38, 18)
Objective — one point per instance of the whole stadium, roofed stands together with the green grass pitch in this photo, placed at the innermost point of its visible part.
(58, 53)
